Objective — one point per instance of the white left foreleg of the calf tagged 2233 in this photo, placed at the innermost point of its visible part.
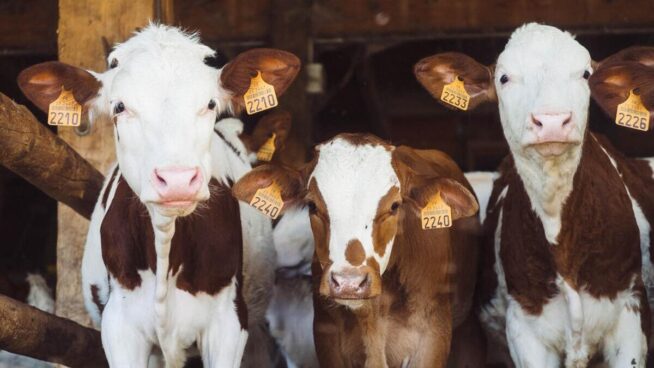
(527, 350)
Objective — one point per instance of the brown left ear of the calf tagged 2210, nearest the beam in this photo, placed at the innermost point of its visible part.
(42, 83)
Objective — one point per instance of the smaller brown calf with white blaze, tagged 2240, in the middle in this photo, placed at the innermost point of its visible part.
(386, 292)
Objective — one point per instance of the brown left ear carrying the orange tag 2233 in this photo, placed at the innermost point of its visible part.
(434, 72)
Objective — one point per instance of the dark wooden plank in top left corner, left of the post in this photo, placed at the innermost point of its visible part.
(29, 25)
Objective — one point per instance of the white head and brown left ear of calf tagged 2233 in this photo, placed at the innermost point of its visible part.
(540, 82)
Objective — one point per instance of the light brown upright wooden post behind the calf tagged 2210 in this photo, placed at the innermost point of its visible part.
(83, 25)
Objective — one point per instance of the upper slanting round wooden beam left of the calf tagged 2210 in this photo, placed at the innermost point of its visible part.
(32, 151)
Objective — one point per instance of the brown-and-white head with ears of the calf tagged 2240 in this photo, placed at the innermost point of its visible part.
(359, 191)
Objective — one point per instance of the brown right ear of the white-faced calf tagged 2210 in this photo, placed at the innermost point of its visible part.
(278, 68)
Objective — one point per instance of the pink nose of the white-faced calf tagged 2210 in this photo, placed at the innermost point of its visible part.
(177, 183)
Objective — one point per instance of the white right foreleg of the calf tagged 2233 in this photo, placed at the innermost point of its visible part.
(626, 346)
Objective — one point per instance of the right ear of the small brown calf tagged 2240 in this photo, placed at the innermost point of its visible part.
(460, 200)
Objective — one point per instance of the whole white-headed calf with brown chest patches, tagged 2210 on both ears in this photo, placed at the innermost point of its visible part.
(150, 275)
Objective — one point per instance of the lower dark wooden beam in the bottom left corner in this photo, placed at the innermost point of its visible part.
(26, 330)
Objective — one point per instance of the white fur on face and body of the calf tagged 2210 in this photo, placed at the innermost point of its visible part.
(165, 85)
